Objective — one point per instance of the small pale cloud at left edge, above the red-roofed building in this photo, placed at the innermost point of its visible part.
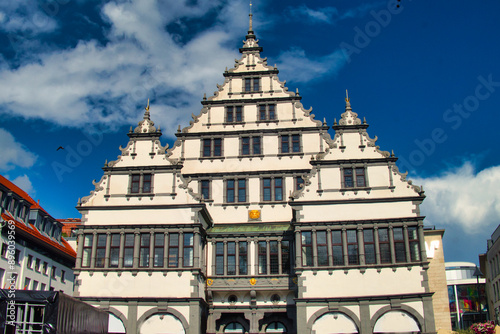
(14, 154)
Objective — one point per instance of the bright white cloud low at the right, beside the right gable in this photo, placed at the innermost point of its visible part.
(463, 198)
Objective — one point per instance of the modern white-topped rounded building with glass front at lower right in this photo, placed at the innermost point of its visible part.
(466, 305)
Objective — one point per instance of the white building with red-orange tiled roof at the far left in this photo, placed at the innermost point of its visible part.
(43, 259)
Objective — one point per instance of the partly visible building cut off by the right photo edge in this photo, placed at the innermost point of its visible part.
(490, 266)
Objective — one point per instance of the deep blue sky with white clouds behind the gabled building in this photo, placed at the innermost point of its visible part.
(78, 73)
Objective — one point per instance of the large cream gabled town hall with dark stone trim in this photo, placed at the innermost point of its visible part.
(256, 221)
